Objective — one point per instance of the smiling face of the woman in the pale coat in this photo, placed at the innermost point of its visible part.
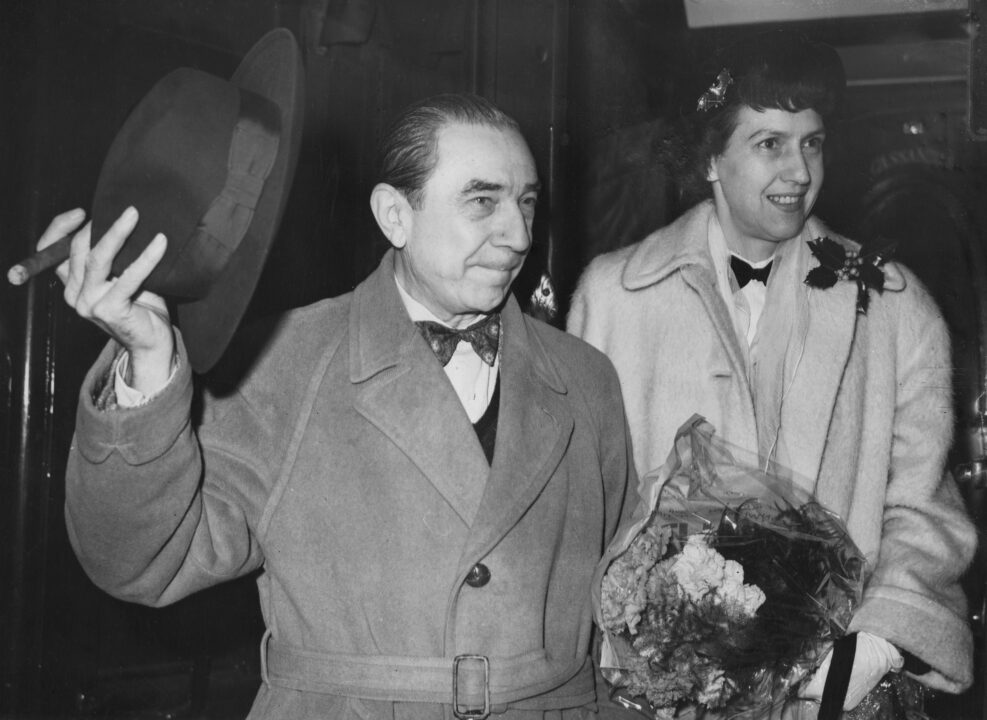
(768, 178)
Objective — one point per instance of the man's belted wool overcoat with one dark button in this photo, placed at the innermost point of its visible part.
(346, 468)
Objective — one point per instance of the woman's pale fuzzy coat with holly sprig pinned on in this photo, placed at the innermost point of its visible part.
(858, 405)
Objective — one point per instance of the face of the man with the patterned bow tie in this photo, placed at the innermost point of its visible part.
(468, 240)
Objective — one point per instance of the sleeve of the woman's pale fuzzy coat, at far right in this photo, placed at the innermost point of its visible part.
(914, 598)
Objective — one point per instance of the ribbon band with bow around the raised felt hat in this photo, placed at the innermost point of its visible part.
(253, 151)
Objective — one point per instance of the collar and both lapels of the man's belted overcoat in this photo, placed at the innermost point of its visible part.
(405, 393)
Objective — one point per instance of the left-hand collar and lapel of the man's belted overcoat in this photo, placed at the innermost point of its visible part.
(405, 393)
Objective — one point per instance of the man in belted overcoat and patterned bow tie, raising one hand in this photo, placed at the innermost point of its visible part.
(427, 508)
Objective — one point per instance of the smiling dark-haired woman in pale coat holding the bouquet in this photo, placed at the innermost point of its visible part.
(848, 385)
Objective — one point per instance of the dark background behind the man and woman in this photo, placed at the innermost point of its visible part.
(594, 84)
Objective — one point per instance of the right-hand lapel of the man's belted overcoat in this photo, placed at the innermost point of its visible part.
(533, 431)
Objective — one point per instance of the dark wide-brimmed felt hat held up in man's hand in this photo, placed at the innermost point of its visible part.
(209, 163)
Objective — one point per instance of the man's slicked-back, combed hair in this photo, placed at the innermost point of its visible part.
(407, 152)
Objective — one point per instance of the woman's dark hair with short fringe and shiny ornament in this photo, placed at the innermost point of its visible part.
(779, 69)
